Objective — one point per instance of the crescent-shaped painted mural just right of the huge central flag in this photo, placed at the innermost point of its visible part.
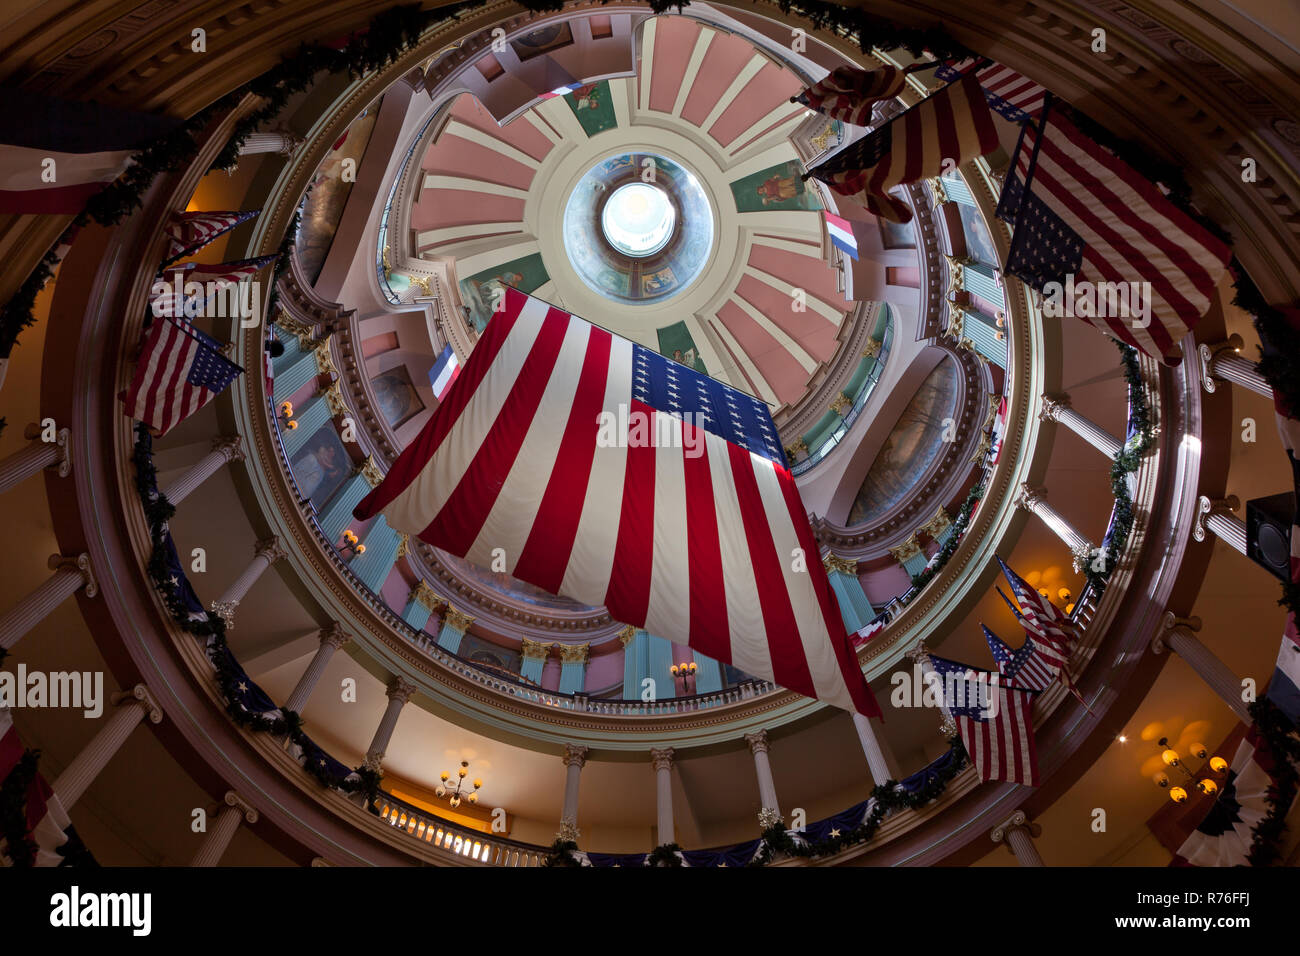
(912, 447)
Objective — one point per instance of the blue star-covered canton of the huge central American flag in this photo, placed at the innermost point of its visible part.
(678, 391)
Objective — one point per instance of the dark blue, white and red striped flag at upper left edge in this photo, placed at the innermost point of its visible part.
(58, 154)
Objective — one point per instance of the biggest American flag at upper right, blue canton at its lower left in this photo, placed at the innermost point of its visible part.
(1082, 215)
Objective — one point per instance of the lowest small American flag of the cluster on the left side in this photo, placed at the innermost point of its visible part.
(179, 373)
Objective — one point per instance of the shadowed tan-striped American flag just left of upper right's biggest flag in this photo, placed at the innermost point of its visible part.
(950, 127)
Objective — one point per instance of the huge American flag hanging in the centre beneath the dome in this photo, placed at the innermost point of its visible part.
(600, 470)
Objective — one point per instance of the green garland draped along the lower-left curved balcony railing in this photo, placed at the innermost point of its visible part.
(158, 512)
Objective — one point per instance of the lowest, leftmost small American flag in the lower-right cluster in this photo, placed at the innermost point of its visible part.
(994, 721)
